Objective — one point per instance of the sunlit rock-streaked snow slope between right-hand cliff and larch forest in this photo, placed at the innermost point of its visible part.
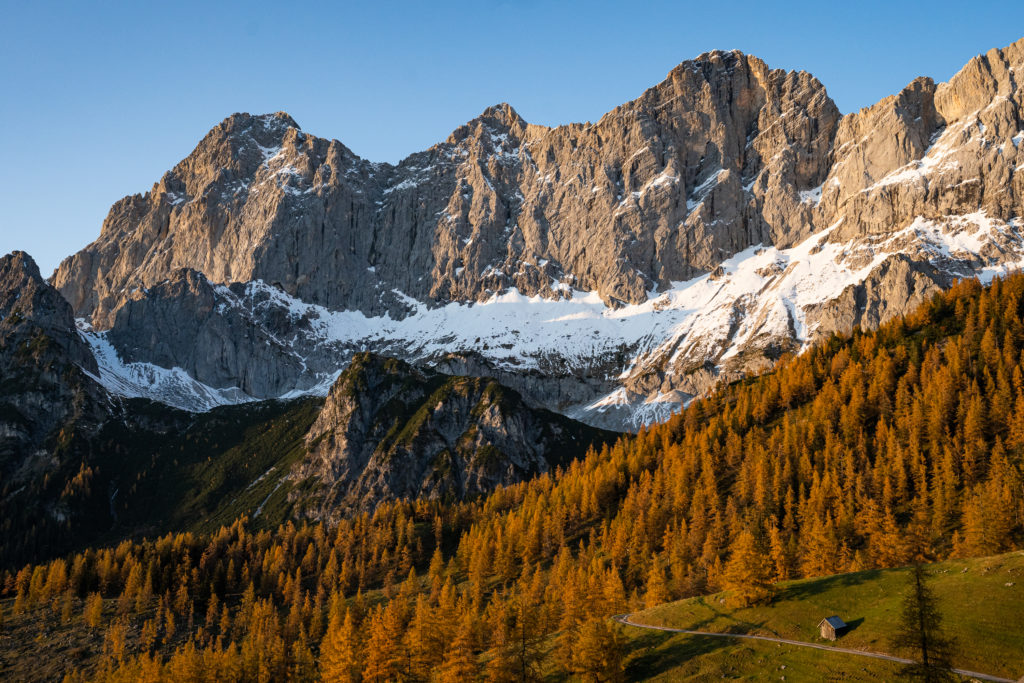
(766, 302)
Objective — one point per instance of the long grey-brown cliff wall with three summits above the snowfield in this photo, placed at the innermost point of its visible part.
(658, 191)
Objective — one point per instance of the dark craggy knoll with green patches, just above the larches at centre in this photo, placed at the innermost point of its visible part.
(391, 432)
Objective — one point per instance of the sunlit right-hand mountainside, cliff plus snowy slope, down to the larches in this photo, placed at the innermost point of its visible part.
(923, 188)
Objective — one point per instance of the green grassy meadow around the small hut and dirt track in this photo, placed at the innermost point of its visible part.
(982, 611)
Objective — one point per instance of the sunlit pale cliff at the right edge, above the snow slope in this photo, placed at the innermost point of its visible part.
(932, 151)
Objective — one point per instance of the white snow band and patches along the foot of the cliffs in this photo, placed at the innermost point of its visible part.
(760, 293)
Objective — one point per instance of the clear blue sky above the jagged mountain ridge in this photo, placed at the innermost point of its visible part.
(101, 99)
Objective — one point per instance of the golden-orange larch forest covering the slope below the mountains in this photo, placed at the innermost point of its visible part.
(865, 452)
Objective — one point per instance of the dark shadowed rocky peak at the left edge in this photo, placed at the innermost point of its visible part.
(50, 404)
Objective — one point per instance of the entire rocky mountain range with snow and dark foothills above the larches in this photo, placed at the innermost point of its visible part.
(441, 328)
